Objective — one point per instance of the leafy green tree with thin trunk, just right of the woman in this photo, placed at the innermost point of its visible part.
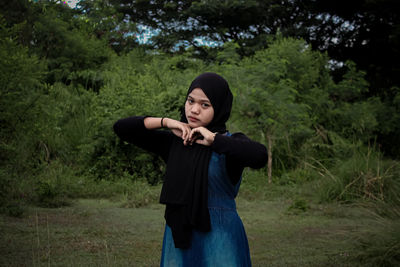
(274, 96)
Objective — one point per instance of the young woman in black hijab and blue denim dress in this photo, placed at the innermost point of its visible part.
(203, 175)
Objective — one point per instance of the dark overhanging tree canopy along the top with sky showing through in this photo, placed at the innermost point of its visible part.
(373, 33)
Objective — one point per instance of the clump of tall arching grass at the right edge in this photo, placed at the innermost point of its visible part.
(366, 175)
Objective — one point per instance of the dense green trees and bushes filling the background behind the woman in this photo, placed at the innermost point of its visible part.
(316, 82)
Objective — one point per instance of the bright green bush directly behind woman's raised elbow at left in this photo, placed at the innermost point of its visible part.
(135, 84)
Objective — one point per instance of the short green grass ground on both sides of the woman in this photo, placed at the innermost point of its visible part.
(100, 232)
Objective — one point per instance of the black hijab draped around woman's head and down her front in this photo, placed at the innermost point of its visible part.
(186, 180)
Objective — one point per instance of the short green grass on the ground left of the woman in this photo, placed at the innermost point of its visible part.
(89, 233)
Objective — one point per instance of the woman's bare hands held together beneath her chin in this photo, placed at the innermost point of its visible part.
(199, 135)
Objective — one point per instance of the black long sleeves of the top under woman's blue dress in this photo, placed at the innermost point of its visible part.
(240, 151)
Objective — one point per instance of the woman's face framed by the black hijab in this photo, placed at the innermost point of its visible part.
(198, 109)
